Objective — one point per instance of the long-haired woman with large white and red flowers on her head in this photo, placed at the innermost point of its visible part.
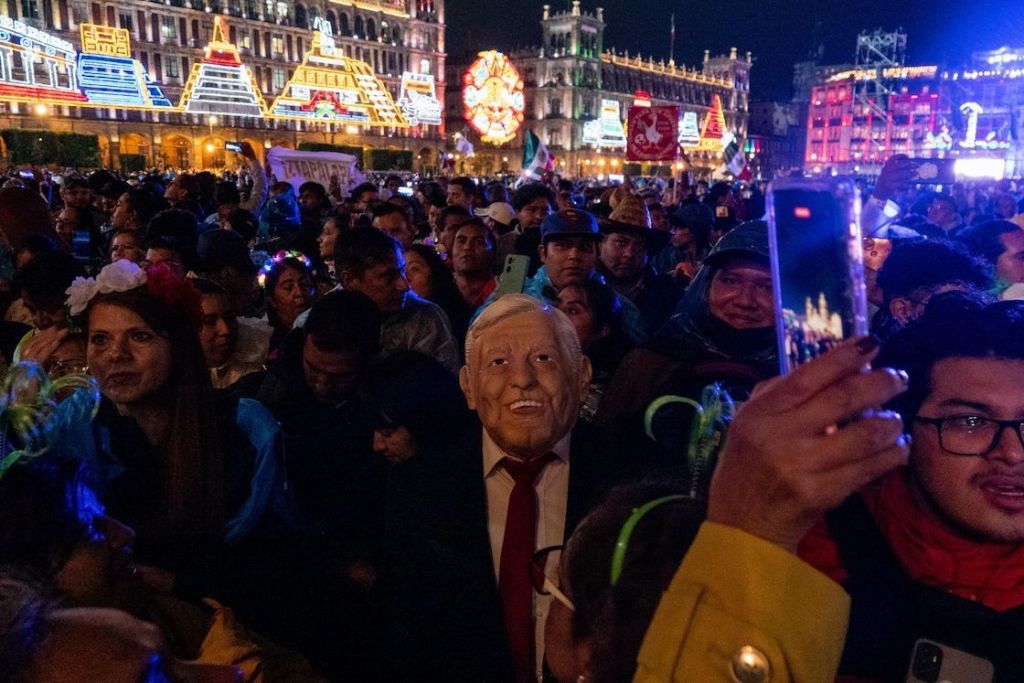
(185, 468)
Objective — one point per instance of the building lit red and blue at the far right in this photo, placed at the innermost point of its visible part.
(972, 113)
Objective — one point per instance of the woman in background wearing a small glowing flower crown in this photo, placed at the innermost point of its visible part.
(288, 285)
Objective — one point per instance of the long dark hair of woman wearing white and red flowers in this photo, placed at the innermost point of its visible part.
(194, 466)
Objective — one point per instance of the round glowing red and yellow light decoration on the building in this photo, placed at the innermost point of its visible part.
(494, 98)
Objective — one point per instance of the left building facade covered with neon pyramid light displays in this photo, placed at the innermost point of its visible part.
(175, 80)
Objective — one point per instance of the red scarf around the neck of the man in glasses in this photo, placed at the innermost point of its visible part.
(990, 573)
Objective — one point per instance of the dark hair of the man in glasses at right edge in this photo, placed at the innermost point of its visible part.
(954, 325)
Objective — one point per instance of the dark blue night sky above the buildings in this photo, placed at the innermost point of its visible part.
(778, 32)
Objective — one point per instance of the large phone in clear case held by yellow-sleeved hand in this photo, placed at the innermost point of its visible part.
(818, 266)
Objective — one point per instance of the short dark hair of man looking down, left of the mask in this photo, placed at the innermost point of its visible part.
(347, 322)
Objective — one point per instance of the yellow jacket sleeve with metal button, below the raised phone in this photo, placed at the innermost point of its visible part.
(740, 602)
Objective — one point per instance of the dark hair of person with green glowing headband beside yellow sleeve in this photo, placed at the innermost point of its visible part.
(615, 619)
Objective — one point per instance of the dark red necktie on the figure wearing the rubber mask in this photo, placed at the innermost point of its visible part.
(518, 549)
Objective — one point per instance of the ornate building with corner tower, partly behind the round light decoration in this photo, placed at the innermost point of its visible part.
(578, 95)
